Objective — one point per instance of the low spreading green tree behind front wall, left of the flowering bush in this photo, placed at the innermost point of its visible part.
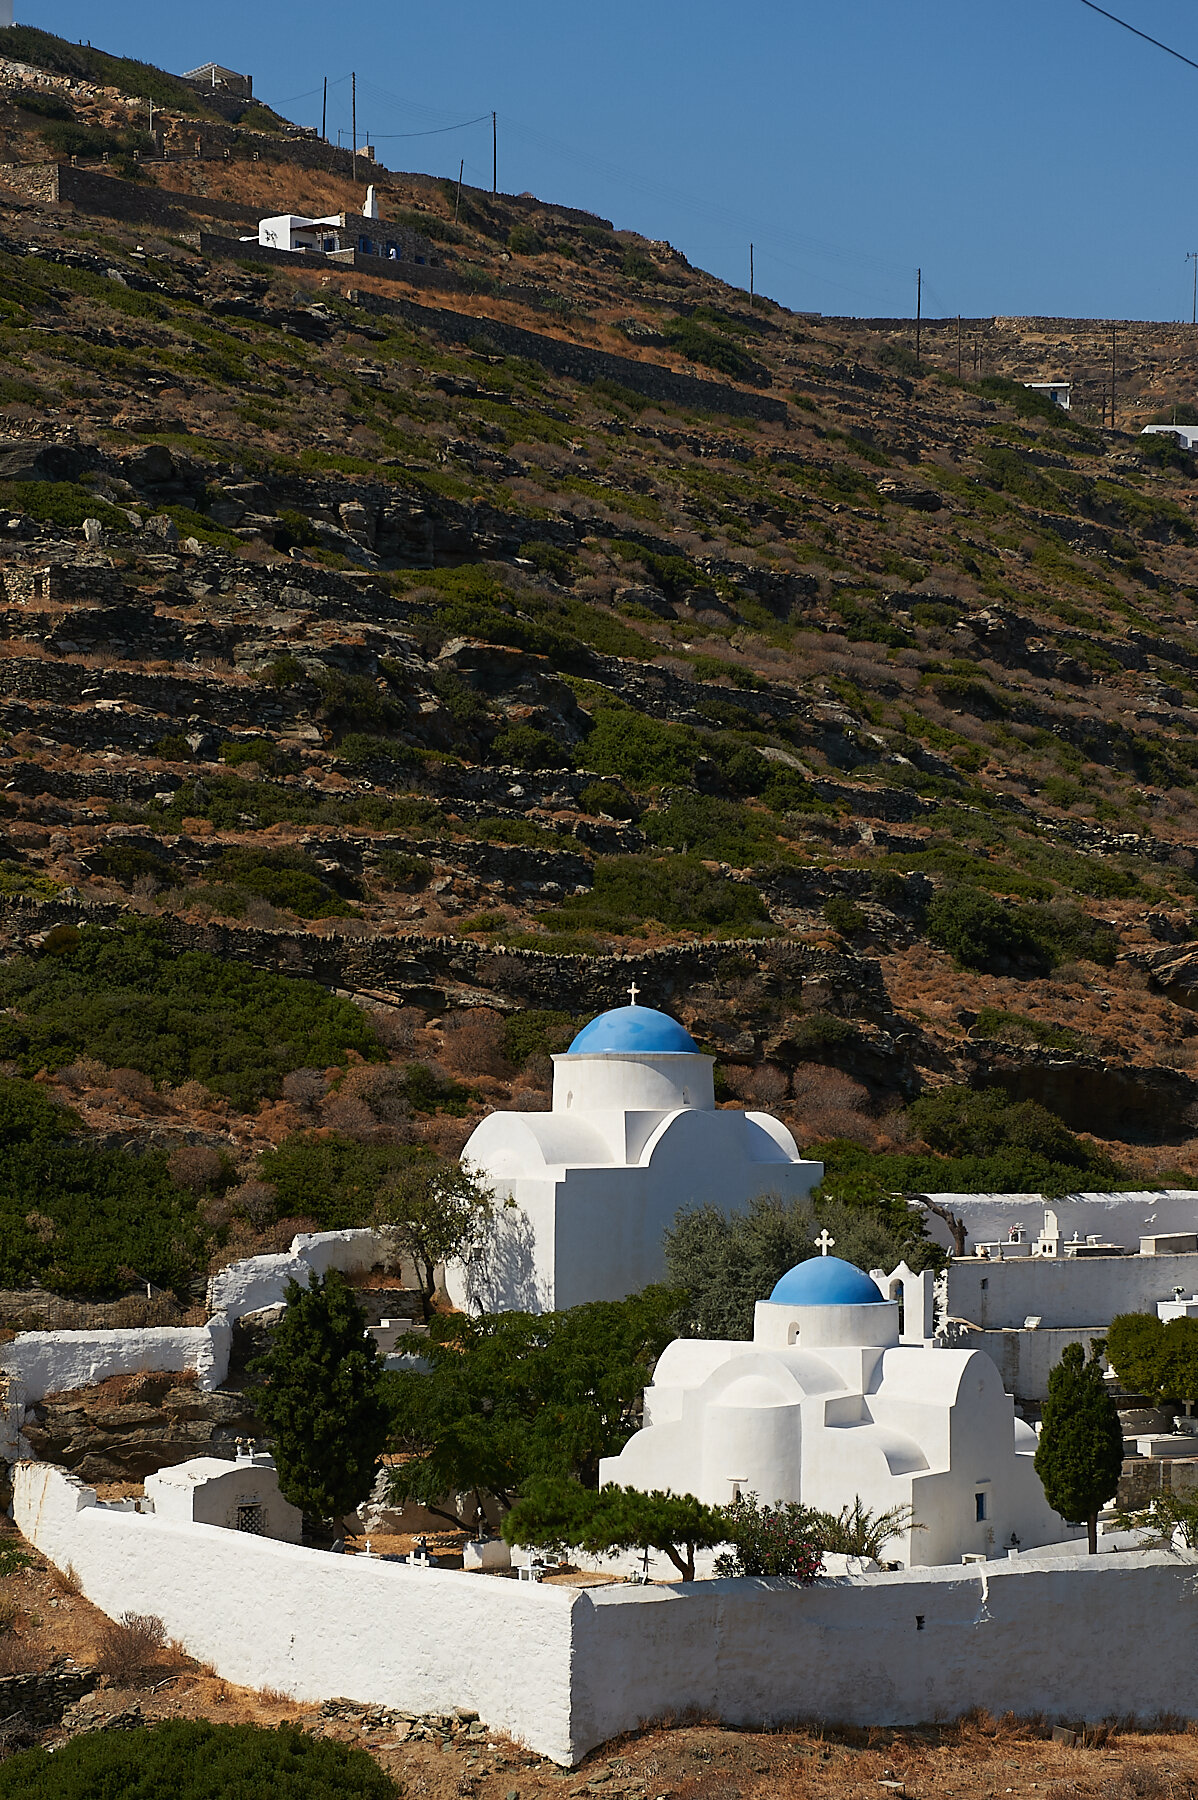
(568, 1516)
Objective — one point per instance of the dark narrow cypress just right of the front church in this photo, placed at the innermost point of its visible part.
(1080, 1453)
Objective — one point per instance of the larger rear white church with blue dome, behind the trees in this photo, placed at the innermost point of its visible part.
(589, 1189)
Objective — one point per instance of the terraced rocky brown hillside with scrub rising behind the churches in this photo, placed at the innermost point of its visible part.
(479, 636)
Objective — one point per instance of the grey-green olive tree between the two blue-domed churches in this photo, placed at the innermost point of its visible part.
(728, 1264)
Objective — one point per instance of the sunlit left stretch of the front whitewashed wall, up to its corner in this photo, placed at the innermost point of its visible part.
(312, 1624)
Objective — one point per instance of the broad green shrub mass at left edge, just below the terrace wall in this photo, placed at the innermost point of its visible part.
(134, 1002)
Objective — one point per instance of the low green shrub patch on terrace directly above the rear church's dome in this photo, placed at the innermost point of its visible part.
(679, 894)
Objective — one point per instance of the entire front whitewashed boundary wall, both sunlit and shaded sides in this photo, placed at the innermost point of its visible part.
(568, 1669)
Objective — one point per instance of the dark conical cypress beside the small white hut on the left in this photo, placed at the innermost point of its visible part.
(321, 1399)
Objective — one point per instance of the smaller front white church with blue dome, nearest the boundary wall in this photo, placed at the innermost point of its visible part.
(825, 1407)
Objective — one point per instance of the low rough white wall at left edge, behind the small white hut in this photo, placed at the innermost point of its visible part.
(39, 1363)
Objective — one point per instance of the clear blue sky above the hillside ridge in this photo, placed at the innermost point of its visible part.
(1030, 156)
